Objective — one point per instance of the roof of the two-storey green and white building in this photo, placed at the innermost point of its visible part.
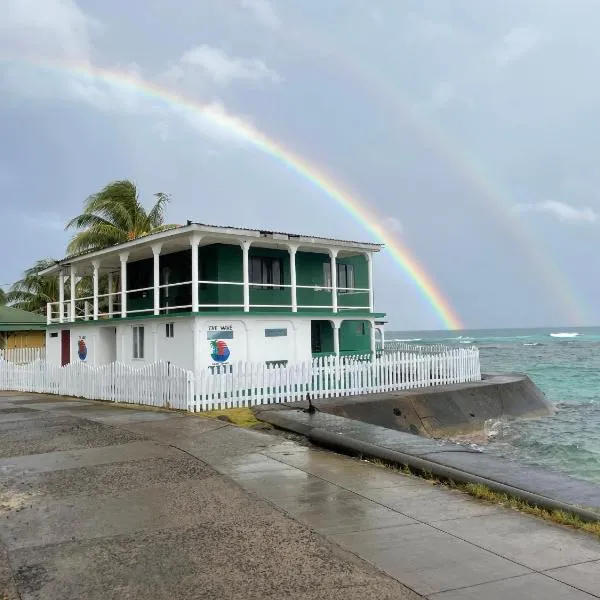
(174, 238)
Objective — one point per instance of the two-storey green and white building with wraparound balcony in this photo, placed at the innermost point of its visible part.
(201, 295)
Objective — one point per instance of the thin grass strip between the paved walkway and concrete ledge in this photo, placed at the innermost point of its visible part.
(482, 492)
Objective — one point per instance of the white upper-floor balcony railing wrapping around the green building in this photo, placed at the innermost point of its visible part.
(212, 296)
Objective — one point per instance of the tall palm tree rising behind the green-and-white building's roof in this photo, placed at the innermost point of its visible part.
(115, 215)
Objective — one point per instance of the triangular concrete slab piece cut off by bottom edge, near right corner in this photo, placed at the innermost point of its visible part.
(526, 587)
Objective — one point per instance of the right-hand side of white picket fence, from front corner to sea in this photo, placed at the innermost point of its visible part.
(249, 384)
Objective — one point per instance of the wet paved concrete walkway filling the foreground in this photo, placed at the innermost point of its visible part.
(99, 502)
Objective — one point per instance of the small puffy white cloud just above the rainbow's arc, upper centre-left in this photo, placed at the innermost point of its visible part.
(223, 69)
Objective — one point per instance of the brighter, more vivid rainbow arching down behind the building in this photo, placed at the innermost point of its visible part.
(356, 207)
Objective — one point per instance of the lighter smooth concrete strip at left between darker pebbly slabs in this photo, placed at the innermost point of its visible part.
(70, 459)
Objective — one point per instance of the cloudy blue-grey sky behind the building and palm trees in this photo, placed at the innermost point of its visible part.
(468, 130)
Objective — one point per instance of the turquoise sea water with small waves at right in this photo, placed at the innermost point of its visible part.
(565, 364)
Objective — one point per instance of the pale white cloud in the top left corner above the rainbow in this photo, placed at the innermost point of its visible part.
(49, 29)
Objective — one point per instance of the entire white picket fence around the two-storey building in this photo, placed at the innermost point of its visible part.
(244, 384)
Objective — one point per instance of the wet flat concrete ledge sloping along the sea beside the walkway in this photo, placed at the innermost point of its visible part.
(545, 483)
